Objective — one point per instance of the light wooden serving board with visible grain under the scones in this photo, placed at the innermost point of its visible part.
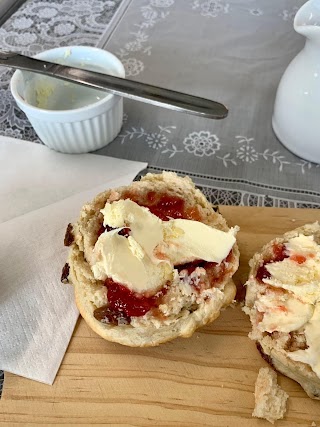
(206, 380)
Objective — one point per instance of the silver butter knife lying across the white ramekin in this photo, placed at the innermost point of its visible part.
(150, 94)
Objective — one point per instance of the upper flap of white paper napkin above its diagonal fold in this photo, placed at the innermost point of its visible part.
(32, 176)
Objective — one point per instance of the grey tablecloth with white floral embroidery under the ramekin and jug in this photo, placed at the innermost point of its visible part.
(228, 50)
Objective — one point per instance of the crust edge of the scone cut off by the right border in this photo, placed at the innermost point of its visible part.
(270, 350)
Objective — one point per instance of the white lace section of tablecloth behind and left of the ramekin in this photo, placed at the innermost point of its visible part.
(40, 25)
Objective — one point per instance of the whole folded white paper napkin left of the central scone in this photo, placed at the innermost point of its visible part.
(37, 312)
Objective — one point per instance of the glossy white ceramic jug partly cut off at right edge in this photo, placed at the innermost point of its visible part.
(296, 116)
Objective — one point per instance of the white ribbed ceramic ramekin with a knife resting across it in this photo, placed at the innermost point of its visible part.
(67, 117)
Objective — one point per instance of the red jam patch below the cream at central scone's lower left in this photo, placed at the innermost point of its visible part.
(124, 304)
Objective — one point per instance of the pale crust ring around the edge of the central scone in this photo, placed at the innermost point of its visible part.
(84, 238)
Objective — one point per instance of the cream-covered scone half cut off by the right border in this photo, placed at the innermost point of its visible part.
(283, 302)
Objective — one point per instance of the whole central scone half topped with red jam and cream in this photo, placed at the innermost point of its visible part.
(151, 261)
